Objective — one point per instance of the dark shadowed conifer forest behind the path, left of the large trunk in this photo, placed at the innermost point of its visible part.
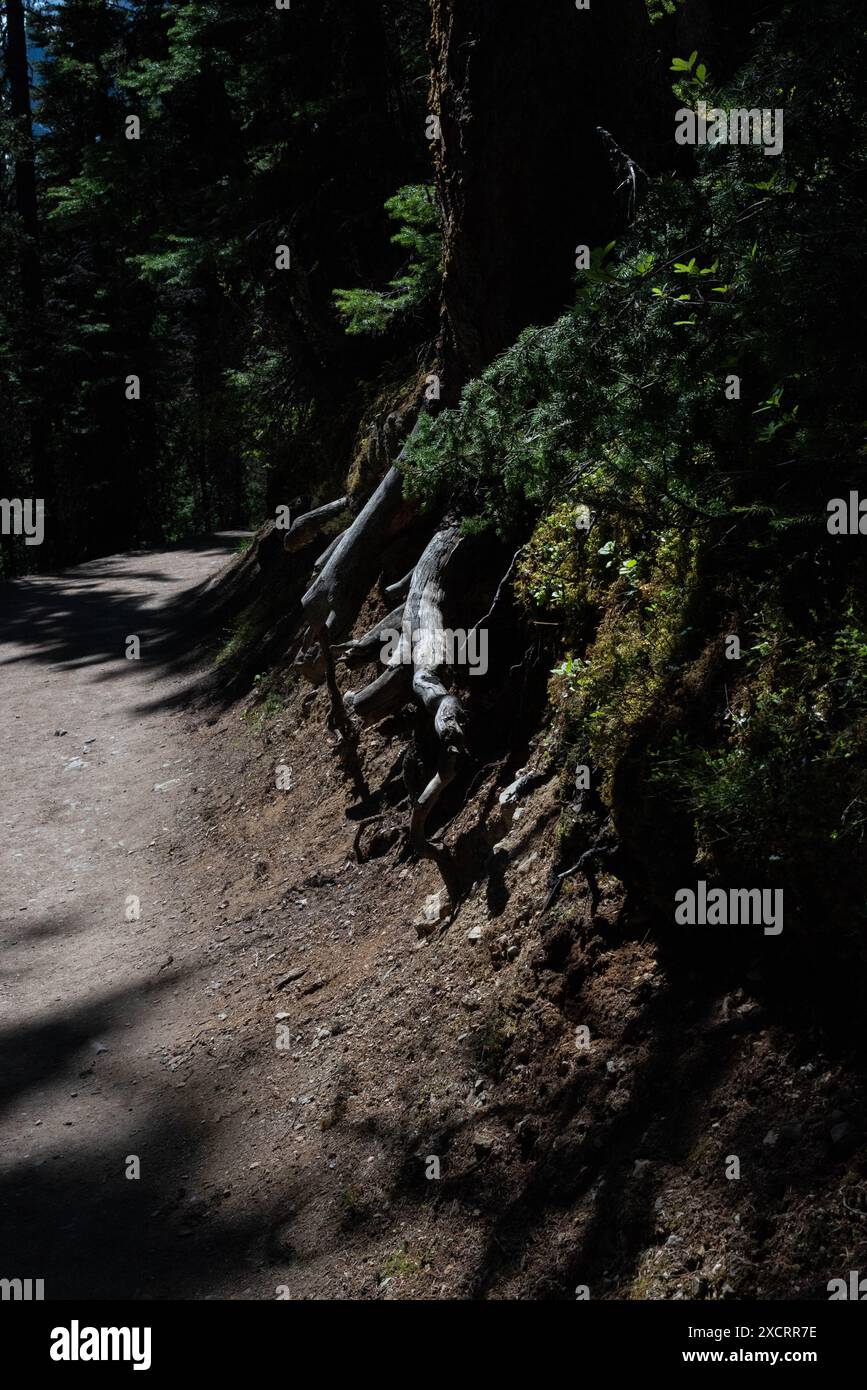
(156, 256)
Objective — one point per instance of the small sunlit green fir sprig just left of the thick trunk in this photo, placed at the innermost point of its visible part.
(373, 312)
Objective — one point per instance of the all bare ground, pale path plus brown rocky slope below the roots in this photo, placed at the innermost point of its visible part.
(324, 1100)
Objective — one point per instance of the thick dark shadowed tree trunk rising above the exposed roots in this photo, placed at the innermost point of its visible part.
(523, 180)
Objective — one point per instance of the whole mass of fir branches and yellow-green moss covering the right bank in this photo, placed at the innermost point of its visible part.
(709, 514)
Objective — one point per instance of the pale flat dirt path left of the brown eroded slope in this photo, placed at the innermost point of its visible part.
(95, 765)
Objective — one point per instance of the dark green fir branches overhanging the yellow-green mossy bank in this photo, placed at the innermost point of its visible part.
(623, 398)
